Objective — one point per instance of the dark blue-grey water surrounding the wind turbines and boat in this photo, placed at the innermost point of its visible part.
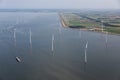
(66, 62)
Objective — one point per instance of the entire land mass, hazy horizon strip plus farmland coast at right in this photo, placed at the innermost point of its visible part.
(105, 20)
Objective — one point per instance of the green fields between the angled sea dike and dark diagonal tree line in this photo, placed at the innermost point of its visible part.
(78, 21)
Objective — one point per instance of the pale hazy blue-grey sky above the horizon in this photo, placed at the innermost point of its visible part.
(59, 4)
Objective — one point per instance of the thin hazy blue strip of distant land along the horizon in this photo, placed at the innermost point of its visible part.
(57, 10)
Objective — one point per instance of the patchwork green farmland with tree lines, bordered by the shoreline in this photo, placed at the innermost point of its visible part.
(109, 22)
